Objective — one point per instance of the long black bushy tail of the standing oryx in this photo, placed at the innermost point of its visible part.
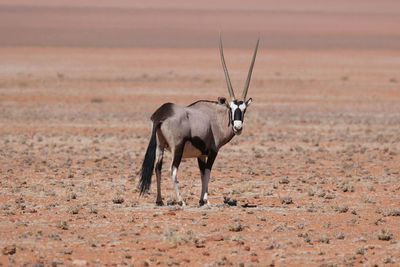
(148, 163)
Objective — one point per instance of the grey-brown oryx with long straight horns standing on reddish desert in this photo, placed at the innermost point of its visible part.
(198, 130)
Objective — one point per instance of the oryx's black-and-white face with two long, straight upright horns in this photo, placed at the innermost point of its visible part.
(237, 106)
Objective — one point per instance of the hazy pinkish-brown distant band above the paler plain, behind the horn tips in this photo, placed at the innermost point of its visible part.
(290, 24)
